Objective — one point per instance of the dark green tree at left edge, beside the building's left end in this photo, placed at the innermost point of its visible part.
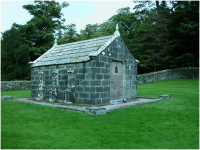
(14, 56)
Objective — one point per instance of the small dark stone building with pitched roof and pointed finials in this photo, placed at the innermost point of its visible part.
(90, 72)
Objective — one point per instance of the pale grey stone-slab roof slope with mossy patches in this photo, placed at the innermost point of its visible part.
(73, 52)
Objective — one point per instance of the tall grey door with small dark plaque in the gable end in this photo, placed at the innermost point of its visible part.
(116, 83)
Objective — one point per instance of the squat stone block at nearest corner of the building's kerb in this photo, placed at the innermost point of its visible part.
(95, 111)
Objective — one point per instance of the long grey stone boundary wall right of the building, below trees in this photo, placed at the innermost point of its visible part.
(178, 73)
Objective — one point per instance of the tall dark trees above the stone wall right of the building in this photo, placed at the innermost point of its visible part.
(162, 41)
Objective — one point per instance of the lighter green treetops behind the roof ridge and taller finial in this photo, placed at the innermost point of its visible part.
(127, 22)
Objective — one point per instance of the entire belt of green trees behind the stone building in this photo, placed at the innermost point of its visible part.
(160, 34)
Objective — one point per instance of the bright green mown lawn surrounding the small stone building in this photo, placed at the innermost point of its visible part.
(166, 124)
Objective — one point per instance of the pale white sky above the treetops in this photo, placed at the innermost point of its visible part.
(80, 13)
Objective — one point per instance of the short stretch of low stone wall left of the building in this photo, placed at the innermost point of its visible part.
(15, 85)
